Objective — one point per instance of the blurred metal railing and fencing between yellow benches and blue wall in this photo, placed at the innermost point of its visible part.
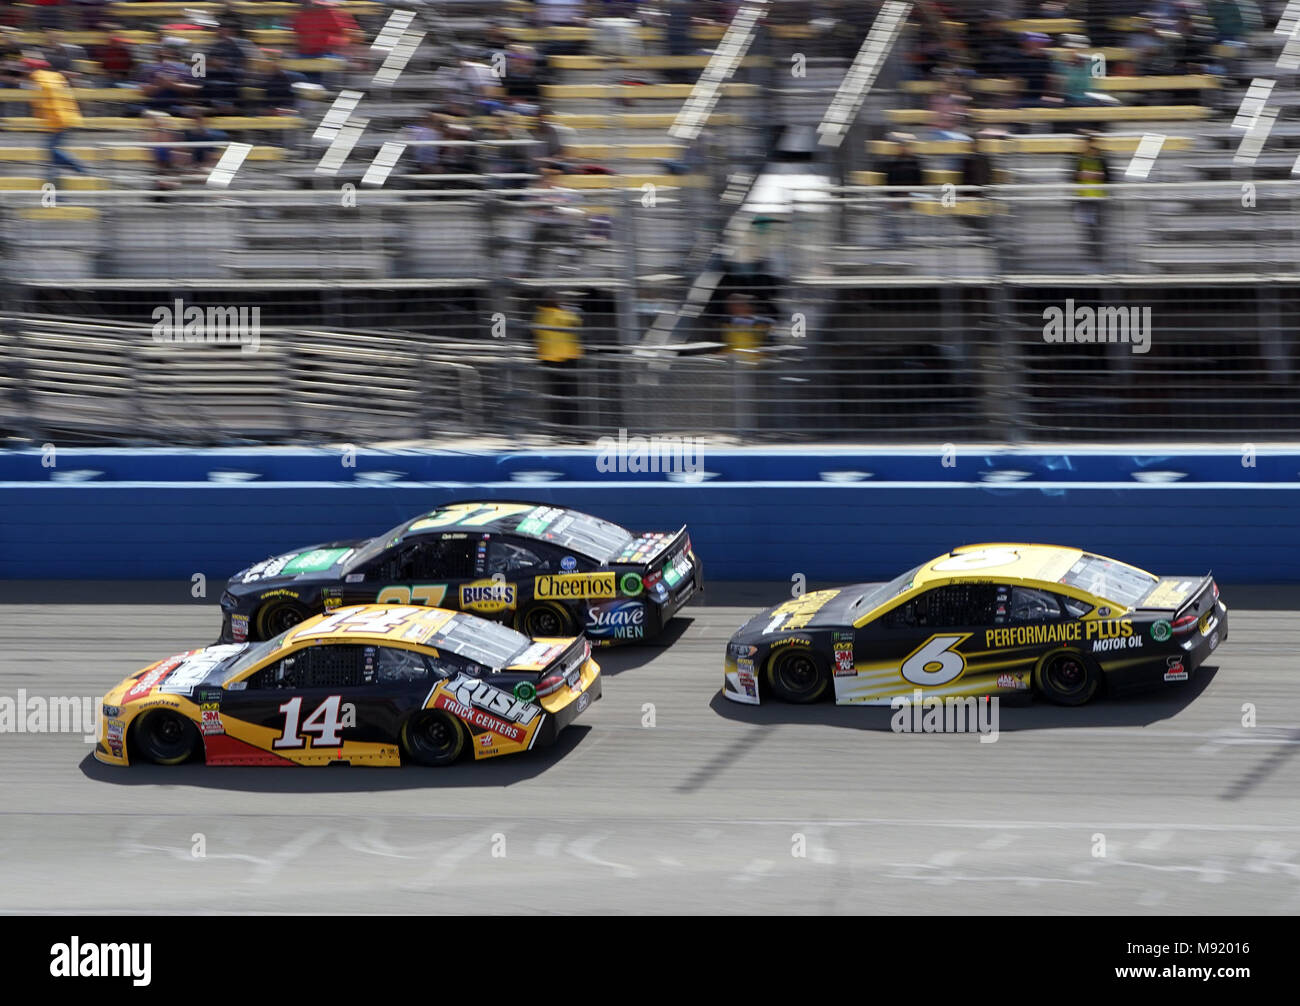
(885, 315)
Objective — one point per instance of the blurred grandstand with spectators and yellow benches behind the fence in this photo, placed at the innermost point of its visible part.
(899, 277)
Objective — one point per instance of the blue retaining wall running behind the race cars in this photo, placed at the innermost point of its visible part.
(753, 514)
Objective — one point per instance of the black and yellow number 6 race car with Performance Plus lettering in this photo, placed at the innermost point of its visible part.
(982, 621)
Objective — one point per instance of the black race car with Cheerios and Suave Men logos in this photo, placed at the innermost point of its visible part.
(547, 571)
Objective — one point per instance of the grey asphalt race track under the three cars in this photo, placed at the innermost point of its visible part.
(700, 813)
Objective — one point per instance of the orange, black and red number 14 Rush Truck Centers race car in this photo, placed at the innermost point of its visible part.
(370, 686)
